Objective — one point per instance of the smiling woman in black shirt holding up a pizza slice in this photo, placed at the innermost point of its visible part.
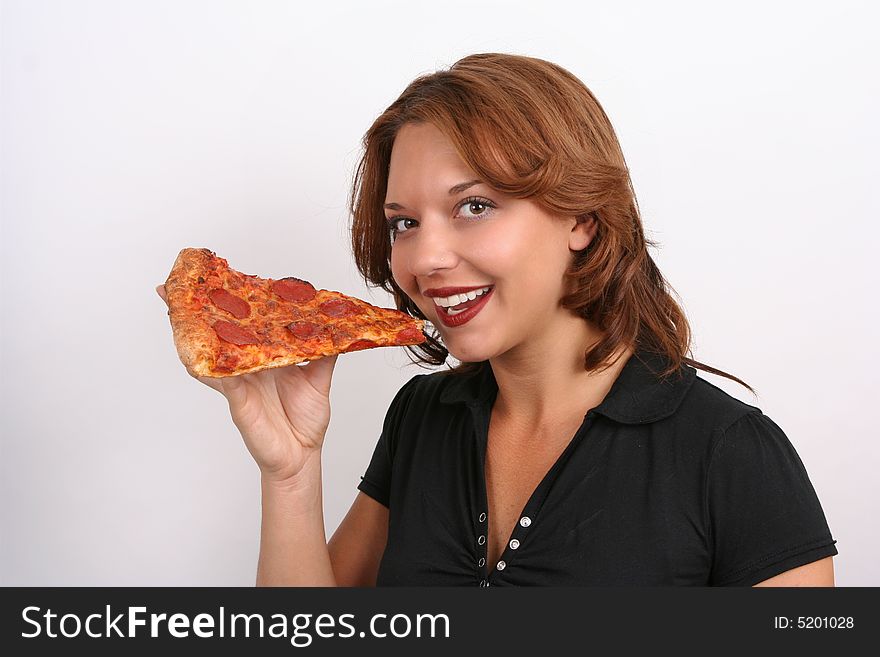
(574, 443)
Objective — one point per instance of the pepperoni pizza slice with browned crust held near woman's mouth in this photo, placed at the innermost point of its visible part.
(227, 323)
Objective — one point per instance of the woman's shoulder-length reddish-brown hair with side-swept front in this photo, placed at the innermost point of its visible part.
(531, 129)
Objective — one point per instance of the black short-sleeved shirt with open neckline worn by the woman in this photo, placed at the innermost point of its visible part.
(665, 483)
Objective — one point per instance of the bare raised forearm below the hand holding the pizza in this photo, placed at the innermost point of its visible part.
(293, 543)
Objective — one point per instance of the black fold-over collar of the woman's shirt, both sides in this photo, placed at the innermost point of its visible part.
(637, 396)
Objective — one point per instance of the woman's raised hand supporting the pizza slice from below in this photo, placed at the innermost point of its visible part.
(282, 413)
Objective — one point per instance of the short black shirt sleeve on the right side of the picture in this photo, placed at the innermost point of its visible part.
(763, 513)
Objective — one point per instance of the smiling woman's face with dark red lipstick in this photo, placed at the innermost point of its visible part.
(474, 238)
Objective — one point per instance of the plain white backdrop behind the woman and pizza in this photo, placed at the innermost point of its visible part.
(133, 129)
